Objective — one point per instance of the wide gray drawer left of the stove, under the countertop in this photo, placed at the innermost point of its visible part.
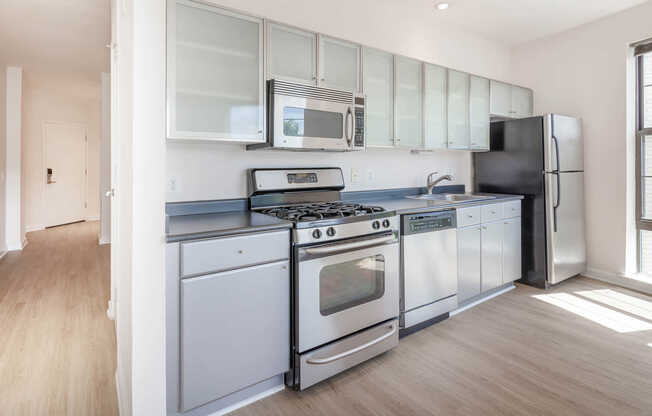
(207, 256)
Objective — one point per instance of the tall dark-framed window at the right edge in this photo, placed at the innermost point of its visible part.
(644, 157)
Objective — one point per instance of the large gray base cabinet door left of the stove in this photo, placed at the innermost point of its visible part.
(234, 331)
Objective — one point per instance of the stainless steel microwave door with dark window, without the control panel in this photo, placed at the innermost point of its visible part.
(308, 123)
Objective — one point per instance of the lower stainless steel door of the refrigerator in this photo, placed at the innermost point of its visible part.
(565, 225)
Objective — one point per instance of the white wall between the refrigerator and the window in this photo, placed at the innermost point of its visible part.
(586, 73)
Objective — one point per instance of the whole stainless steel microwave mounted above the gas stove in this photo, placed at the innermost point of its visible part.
(304, 117)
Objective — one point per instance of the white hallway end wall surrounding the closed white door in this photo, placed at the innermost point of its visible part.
(59, 98)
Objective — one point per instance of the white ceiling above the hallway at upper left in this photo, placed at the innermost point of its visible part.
(56, 35)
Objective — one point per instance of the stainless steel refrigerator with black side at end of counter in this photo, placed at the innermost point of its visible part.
(543, 159)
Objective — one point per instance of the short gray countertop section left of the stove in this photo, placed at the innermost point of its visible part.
(191, 227)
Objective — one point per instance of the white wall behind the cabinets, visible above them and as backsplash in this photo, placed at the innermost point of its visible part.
(215, 171)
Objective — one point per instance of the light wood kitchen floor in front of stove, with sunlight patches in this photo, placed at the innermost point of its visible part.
(514, 355)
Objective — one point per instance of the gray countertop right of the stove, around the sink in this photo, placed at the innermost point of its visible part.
(405, 205)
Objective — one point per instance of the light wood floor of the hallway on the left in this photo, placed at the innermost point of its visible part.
(57, 346)
